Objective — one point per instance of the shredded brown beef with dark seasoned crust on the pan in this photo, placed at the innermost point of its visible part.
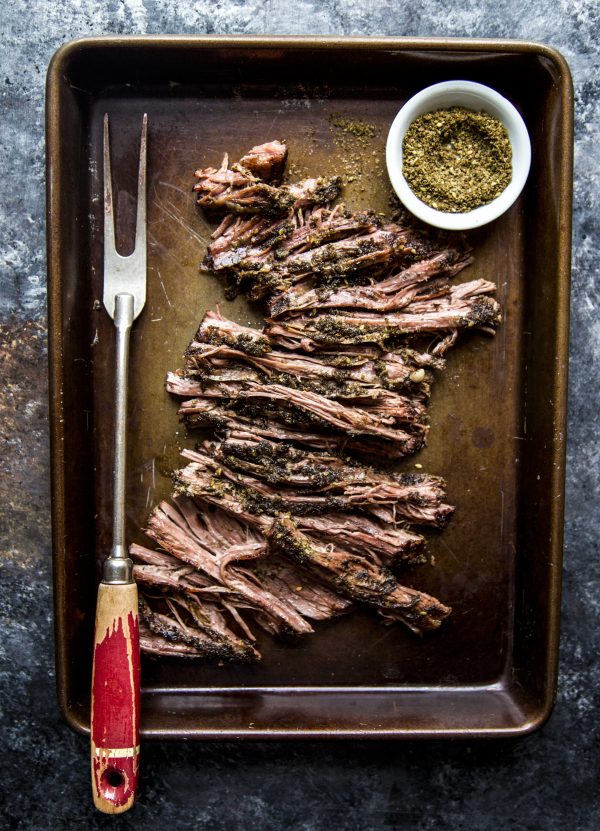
(288, 513)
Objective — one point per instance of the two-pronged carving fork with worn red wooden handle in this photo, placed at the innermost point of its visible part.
(115, 711)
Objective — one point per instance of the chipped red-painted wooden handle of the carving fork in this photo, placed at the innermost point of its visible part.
(116, 699)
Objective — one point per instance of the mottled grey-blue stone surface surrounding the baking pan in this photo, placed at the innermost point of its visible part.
(548, 781)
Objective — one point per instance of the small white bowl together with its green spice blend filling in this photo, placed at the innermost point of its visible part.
(479, 167)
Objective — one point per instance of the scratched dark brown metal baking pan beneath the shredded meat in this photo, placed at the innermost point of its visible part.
(497, 413)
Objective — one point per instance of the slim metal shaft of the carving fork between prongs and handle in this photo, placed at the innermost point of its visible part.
(118, 567)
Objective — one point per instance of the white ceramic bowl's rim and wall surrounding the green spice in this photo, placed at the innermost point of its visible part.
(474, 97)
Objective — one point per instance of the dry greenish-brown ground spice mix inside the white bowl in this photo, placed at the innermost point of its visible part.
(456, 160)
